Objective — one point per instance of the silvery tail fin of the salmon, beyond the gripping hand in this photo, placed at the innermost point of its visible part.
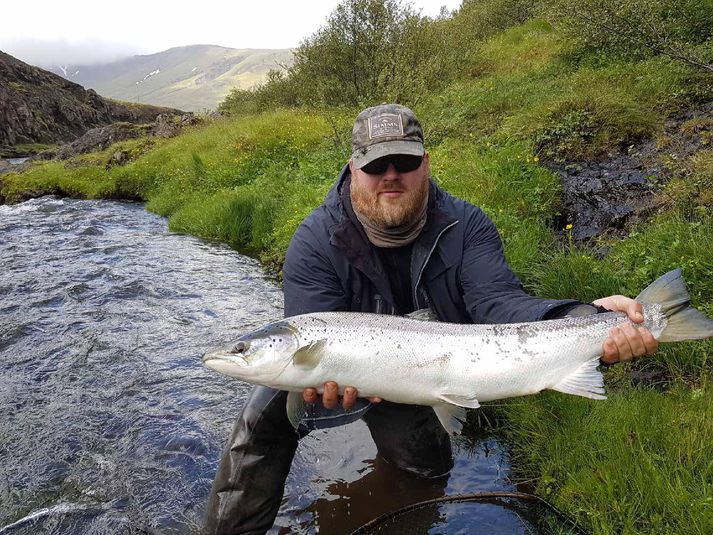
(683, 322)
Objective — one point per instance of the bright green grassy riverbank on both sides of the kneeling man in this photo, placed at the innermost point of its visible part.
(637, 463)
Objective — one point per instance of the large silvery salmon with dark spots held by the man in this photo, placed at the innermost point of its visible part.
(445, 365)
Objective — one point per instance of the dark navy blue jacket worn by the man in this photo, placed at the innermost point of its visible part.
(457, 268)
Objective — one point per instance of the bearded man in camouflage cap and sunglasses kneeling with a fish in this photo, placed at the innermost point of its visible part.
(388, 240)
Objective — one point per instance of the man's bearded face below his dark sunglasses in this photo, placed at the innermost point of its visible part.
(391, 198)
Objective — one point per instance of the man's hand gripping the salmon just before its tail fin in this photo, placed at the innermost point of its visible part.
(627, 341)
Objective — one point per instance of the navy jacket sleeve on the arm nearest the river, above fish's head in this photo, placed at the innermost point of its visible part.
(310, 282)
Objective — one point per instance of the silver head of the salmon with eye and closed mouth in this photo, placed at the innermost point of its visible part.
(259, 356)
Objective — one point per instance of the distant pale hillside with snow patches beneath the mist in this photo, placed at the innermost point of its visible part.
(191, 78)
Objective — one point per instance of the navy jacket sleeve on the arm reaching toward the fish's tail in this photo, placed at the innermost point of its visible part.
(491, 291)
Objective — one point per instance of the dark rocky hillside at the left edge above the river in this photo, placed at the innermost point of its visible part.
(37, 106)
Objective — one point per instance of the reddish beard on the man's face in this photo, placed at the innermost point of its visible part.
(390, 213)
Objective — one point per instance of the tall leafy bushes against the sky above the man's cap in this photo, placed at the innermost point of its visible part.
(380, 50)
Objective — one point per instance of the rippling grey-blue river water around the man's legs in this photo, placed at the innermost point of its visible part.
(109, 423)
